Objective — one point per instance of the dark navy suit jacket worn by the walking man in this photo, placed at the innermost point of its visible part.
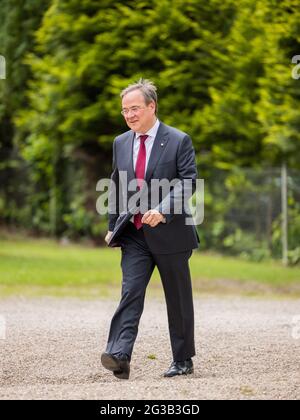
(172, 157)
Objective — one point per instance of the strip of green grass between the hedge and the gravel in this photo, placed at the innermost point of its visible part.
(38, 267)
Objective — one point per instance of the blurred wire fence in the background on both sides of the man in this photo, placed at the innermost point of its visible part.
(253, 213)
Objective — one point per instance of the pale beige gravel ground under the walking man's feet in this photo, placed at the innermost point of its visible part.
(246, 349)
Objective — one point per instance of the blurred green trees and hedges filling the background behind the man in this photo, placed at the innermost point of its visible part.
(224, 75)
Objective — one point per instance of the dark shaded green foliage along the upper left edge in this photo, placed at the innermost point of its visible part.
(18, 21)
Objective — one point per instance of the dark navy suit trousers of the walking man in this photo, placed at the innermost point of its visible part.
(137, 265)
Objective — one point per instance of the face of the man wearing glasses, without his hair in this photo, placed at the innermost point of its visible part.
(138, 116)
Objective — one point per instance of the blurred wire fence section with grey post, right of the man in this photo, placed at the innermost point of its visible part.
(254, 211)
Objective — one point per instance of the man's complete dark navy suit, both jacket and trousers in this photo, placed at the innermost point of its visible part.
(168, 245)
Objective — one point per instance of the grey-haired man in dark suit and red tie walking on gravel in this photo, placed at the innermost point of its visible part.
(159, 236)
